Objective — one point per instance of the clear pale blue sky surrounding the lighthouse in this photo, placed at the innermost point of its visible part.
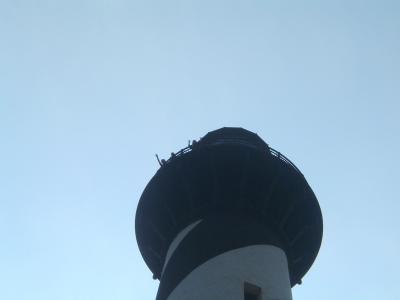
(90, 90)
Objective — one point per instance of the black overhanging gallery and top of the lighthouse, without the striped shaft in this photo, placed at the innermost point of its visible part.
(230, 171)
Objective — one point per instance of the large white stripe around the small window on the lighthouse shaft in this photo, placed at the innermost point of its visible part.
(223, 277)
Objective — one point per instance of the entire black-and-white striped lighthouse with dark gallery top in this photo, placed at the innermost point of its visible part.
(228, 218)
